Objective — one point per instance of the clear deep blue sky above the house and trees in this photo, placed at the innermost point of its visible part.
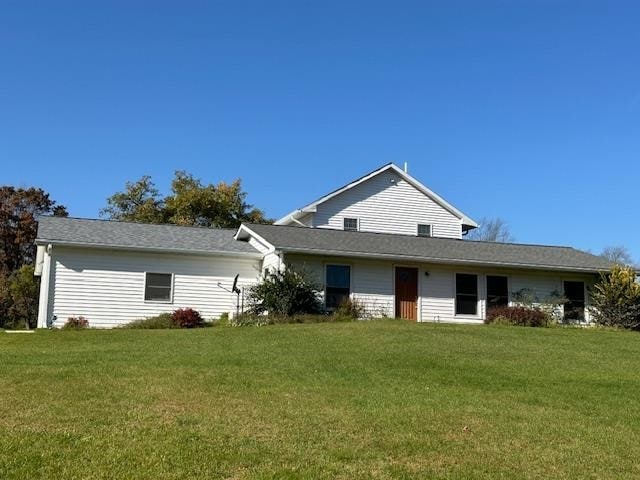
(525, 110)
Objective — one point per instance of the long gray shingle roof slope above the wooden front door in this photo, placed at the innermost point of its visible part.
(439, 250)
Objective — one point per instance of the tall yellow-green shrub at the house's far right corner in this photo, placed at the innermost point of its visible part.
(615, 299)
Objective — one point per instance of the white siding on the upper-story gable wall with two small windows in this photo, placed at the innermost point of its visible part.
(388, 204)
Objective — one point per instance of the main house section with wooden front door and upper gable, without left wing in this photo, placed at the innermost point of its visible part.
(390, 243)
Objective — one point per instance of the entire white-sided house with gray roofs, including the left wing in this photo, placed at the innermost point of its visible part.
(384, 239)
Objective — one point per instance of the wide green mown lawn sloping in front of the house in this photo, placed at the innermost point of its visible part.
(383, 399)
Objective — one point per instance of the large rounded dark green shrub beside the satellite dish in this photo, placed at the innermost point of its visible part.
(287, 293)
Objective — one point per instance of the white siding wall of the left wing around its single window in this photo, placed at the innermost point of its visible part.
(107, 287)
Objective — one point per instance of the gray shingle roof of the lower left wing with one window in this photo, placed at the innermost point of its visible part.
(104, 233)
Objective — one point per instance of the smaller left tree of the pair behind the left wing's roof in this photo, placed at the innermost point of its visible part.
(139, 202)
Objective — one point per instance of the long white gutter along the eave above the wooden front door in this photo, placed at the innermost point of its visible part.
(441, 261)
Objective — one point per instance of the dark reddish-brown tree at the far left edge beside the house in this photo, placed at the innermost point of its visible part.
(19, 208)
